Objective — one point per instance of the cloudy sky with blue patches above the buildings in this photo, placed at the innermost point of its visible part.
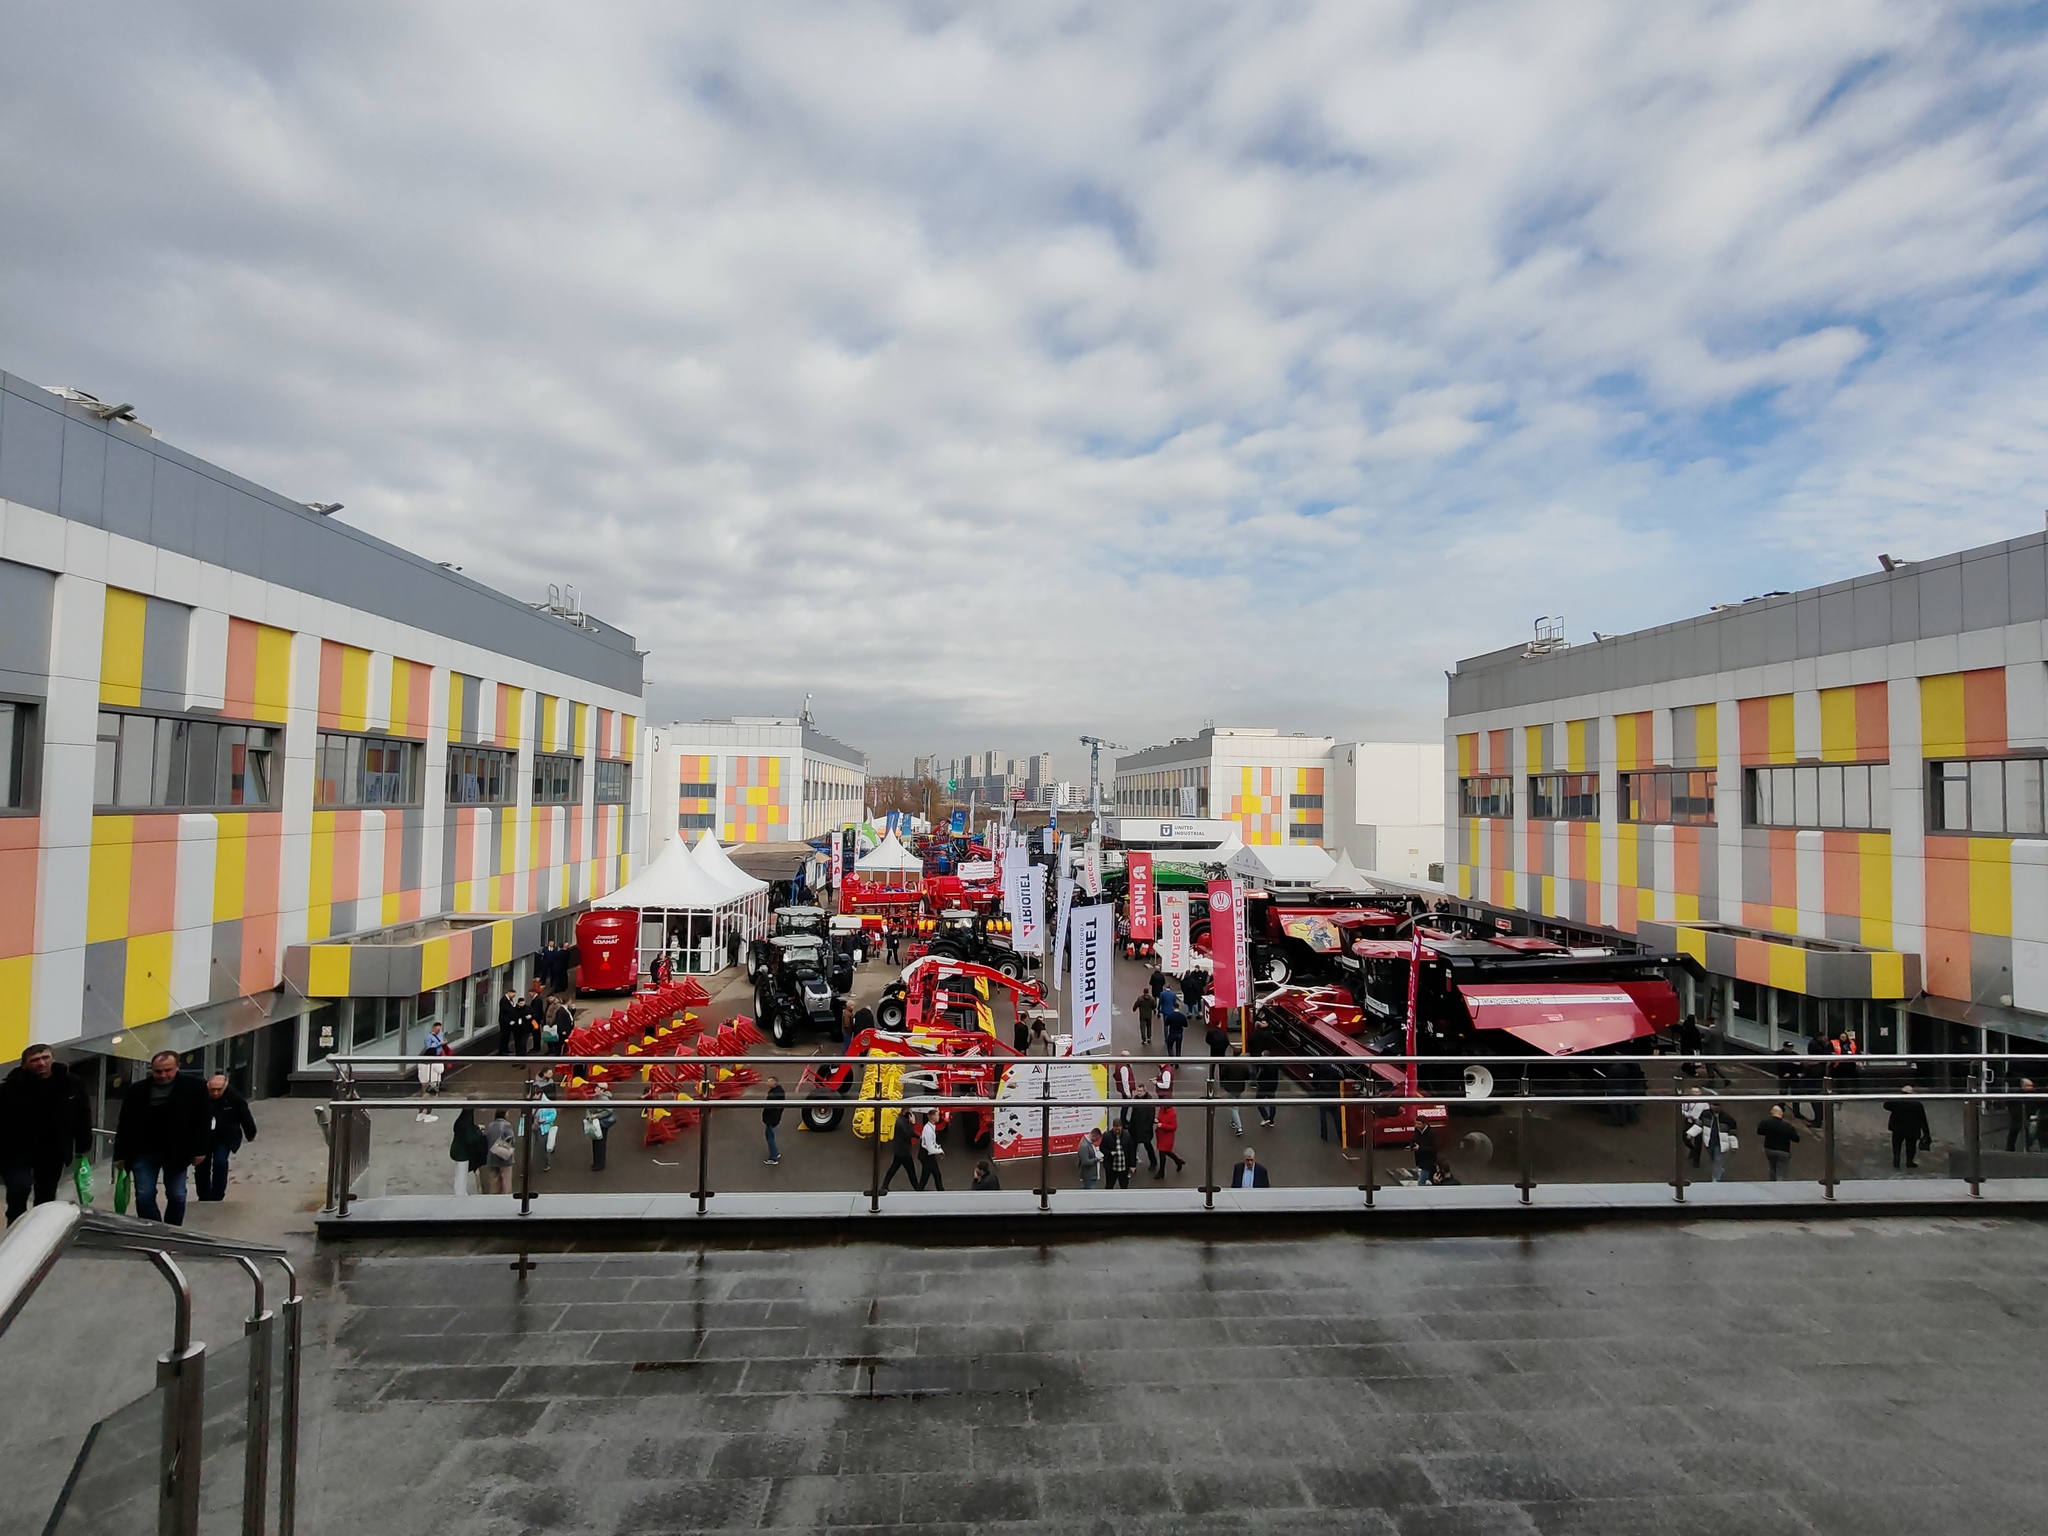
(998, 374)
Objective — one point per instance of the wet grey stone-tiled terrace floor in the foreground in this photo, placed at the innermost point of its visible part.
(1730, 1377)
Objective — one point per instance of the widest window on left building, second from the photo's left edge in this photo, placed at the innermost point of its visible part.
(159, 763)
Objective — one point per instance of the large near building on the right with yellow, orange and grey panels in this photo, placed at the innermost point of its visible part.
(1832, 800)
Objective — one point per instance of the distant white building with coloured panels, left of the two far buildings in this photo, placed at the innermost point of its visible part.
(755, 779)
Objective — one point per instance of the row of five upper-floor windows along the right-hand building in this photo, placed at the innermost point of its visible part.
(1983, 796)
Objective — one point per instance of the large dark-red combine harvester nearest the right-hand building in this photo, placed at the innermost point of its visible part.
(1566, 1011)
